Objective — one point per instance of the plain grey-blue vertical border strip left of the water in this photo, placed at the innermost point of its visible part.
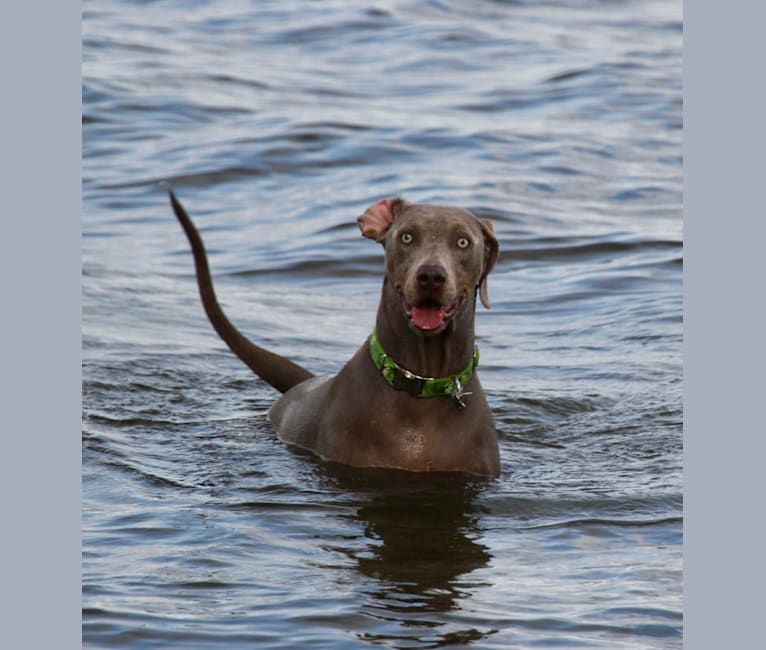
(40, 271)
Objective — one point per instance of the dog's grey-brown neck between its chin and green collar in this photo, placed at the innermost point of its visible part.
(436, 355)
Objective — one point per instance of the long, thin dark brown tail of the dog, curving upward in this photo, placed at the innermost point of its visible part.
(281, 373)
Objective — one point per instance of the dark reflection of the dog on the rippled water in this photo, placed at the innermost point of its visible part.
(423, 537)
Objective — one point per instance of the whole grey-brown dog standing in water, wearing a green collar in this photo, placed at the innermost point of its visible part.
(409, 398)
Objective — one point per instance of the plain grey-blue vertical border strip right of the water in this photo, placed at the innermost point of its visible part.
(724, 324)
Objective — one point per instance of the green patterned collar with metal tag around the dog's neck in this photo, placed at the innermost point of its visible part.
(417, 386)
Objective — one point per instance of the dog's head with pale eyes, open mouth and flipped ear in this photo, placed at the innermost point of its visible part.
(436, 257)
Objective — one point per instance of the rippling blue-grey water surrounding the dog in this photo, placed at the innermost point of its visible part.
(278, 123)
